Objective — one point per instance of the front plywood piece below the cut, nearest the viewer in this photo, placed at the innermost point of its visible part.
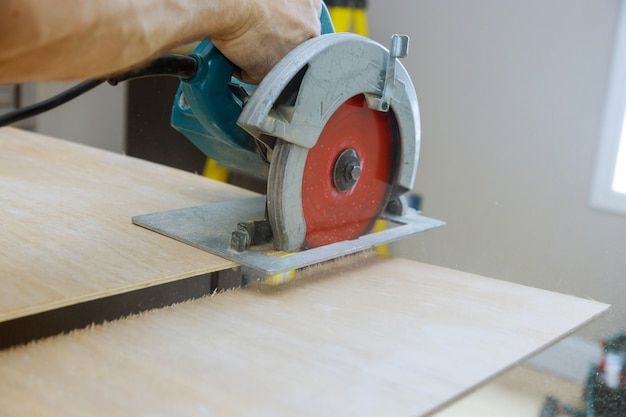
(388, 338)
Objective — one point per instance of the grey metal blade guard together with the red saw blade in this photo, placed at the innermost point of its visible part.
(342, 116)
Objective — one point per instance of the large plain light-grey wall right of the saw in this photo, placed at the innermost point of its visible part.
(511, 95)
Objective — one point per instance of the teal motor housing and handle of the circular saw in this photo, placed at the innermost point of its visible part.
(205, 110)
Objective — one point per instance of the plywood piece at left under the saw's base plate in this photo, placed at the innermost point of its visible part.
(65, 223)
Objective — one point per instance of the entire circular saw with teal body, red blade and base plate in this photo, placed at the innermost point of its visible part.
(334, 129)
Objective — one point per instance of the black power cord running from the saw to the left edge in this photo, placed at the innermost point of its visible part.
(181, 66)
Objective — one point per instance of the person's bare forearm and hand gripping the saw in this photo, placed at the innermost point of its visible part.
(97, 38)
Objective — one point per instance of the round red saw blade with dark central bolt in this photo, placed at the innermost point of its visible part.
(348, 174)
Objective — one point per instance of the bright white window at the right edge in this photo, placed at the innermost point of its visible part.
(609, 184)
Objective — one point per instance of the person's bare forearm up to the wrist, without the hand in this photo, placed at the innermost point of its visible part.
(49, 39)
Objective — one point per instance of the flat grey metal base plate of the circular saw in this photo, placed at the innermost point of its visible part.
(209, 227)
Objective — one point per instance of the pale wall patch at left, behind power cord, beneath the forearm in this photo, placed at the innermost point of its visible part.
(97, 118)
